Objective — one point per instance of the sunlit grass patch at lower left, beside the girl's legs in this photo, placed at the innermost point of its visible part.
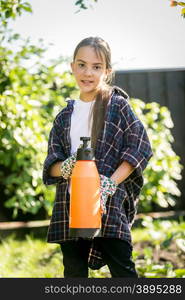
(30, 257)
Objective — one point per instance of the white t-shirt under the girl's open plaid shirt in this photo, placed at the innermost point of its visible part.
(80, 123)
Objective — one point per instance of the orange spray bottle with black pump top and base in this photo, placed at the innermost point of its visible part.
(85, 211)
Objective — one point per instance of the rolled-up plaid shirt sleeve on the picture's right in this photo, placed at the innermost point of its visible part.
(136, 147)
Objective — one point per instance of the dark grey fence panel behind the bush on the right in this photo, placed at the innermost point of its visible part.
(167, 87)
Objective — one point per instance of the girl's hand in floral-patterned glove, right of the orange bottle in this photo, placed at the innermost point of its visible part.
(107, 188)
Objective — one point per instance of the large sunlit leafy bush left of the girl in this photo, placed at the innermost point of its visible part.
(29, 100)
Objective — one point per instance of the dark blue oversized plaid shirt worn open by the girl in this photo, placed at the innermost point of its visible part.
(123, 138)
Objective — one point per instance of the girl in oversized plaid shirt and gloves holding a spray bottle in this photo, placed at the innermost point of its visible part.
(122, 151)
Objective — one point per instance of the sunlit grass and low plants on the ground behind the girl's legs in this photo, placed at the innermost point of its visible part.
(159, 251)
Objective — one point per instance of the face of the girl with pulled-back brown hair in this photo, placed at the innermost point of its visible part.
(90, 72)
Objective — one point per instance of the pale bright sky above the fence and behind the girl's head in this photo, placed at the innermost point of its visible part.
(141, 33)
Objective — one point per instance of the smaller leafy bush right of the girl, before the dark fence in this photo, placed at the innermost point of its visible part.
(160, 188)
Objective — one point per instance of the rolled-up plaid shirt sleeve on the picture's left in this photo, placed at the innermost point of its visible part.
(55, 153)
